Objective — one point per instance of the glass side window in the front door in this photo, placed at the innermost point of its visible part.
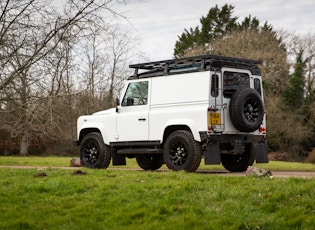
(136, 94)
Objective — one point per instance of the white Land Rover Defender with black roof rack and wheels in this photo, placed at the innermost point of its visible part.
(178, 111)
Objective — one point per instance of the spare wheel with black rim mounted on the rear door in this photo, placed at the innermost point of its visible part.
(246, 110)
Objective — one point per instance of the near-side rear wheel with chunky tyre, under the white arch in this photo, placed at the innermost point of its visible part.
(182, 152)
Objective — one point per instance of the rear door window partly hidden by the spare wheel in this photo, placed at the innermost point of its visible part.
(233, 81)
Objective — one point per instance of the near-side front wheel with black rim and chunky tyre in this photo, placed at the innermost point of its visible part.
(94, 153)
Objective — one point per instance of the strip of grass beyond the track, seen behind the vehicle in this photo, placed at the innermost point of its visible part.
(54, 161)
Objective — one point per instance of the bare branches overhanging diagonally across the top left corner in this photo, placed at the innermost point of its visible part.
(46, 26)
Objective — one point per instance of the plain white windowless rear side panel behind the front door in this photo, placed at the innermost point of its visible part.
(179, 100)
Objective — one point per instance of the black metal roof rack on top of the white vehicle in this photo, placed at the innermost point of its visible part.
(199, 62)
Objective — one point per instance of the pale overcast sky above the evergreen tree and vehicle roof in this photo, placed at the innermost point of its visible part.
(159, 22)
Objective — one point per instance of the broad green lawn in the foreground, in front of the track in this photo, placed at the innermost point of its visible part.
(111, 199)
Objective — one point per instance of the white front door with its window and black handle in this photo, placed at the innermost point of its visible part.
(133, 114)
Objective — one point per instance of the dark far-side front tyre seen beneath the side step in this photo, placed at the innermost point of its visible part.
(150, 161)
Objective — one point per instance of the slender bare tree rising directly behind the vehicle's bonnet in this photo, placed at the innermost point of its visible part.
(105, 66)
